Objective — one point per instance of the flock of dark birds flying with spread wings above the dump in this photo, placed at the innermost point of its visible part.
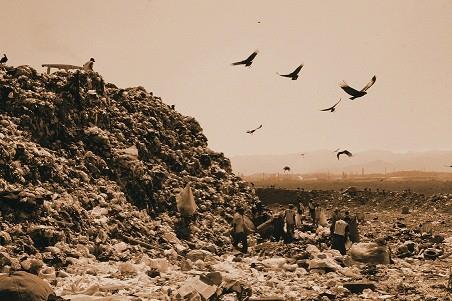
(294, 76)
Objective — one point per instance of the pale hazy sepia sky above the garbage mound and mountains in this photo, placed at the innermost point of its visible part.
(182, 50)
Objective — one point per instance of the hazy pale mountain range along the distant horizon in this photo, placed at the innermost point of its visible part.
(324, 161)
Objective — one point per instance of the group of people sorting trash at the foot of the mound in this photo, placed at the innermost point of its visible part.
(282, 223)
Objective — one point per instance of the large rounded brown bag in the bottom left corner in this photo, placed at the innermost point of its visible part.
(23, 286)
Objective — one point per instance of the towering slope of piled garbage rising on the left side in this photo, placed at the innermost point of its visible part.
(85, 165)
